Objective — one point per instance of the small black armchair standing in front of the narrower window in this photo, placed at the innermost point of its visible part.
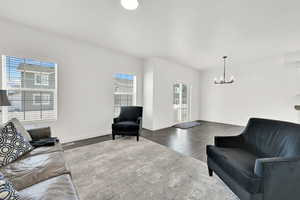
(129, 122)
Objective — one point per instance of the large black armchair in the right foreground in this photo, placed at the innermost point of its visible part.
(263, 163)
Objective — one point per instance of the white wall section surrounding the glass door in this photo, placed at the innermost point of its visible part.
(165, 75)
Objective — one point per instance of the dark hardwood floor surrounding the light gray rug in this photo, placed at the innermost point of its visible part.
(191, 142)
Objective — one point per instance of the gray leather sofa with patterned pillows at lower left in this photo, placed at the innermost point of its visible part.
(41, 174)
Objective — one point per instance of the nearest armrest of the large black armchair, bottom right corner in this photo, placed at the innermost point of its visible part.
(280, 176)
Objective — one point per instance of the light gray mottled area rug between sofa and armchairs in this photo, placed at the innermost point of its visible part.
(128, 170)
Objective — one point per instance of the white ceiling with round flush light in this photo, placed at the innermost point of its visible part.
(193, 32)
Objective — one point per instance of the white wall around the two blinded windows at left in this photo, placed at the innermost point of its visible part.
(85, 101)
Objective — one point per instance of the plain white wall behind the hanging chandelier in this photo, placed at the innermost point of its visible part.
(266, 88)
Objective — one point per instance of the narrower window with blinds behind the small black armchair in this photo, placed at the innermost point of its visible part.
(124, 91)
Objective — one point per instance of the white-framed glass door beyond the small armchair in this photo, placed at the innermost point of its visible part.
(181, 102)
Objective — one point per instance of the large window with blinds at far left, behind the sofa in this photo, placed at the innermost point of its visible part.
(32, 89)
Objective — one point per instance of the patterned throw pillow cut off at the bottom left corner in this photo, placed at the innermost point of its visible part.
(7, 190)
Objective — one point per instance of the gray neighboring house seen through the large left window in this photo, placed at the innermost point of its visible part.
(38, 82)
